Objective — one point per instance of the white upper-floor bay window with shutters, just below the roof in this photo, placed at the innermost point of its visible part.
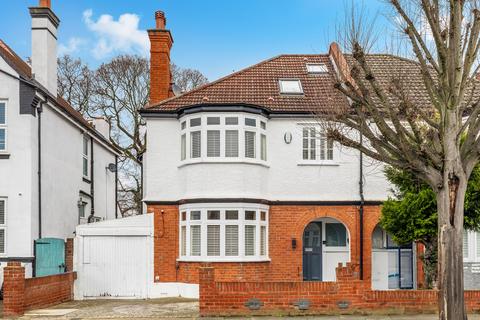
(228, 138)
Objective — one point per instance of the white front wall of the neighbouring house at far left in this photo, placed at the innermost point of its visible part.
(17, 182)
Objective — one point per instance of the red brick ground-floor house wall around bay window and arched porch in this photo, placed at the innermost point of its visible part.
(285, 223)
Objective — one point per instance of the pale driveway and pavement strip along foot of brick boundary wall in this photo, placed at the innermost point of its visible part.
(168, 308)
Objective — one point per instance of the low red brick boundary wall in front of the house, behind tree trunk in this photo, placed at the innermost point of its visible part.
(347, 295)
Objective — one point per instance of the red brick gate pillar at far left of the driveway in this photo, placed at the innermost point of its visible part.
(13, 289)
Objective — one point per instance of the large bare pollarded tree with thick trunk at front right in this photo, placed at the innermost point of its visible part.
(424, 119)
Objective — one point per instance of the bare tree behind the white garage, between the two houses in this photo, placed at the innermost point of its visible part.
(116, 91)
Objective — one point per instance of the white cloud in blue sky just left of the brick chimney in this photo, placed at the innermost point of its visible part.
(117, 36)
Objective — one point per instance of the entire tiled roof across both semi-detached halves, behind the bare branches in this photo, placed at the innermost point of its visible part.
(258, 85)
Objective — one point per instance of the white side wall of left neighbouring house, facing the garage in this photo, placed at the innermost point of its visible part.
(62, 176)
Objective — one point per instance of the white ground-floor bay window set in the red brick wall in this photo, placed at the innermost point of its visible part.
(214, 232)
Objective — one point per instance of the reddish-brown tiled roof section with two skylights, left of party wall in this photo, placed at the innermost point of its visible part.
(259, 85)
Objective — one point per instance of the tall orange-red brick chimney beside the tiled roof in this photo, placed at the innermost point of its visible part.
(160, 44)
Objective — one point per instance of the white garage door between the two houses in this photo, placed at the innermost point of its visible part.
(113, 267)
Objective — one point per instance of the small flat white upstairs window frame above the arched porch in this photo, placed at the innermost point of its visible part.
(321, 142)
